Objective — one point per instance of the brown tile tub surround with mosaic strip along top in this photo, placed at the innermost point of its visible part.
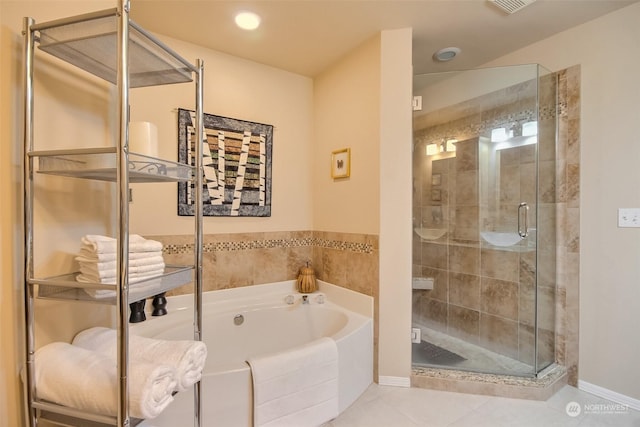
(245, 259)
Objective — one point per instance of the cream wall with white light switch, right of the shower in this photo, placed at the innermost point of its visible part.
(607, 51)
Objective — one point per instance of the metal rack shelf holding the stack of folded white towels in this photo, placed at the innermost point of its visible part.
(66, 287)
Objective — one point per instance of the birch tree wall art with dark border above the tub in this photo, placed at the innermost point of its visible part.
(237, 166)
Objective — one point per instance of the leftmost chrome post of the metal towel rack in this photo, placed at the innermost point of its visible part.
(27, 203)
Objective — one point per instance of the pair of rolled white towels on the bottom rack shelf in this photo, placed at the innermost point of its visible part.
(83, 375)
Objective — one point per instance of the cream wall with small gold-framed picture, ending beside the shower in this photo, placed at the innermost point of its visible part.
(364, 102)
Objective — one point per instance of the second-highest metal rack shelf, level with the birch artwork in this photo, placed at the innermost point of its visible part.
(101, 164)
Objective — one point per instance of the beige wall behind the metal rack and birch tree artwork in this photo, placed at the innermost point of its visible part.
(74, 110)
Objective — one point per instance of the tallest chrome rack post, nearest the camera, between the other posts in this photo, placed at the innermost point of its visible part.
(122, 233)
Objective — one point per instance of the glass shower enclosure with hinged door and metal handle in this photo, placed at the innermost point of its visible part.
(484, 220)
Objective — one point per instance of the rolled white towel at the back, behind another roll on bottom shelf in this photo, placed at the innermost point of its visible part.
(187, 357)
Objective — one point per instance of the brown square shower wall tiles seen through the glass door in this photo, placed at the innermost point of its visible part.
(481, 295)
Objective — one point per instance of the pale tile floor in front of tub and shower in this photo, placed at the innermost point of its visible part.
(383, 406)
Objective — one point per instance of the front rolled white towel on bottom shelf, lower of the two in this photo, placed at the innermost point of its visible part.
(87, 380)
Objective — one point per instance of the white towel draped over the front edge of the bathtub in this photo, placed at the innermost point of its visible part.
(297, 387)
